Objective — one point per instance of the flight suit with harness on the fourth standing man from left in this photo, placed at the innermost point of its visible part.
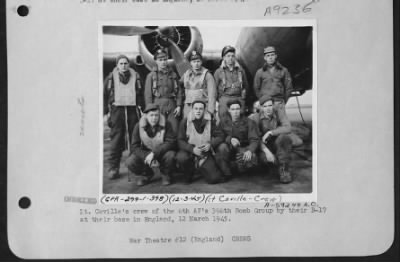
(231, 85)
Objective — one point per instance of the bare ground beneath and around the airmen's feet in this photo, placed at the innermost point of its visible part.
(262, 180)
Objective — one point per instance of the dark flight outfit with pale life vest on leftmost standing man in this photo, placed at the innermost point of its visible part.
(121, 92)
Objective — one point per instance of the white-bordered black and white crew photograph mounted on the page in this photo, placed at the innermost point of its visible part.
(208, 108)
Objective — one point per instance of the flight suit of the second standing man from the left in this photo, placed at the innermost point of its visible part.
(162, 88)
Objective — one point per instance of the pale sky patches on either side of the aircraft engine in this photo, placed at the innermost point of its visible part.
(214, 38)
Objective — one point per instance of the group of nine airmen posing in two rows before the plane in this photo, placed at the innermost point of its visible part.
(197, 123)
